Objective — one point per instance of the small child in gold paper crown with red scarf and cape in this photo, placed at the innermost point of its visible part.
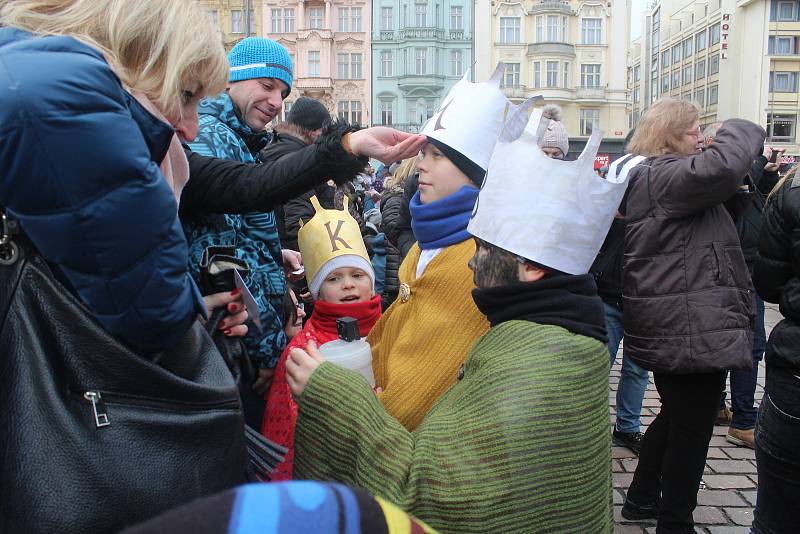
(342, 283)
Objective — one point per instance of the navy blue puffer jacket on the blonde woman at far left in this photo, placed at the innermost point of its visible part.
(79, 170)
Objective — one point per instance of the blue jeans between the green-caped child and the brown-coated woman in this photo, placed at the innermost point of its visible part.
(633, 380)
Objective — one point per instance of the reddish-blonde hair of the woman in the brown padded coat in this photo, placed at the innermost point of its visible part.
(663, 127)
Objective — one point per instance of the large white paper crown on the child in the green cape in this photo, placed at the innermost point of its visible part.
(555, 213)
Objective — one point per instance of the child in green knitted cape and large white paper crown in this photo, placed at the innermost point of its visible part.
(521, 442)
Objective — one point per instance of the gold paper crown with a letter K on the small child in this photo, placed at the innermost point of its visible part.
(329, 234)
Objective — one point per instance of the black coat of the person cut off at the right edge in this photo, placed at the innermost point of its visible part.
(777, 273)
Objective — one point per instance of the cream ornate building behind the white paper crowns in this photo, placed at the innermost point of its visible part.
(572, 52)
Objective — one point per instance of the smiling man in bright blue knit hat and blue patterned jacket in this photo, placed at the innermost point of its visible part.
(231, 126)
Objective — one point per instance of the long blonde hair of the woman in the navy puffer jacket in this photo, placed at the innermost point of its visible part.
(158, 47)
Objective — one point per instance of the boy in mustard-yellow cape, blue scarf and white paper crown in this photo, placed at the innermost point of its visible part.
(423, 338)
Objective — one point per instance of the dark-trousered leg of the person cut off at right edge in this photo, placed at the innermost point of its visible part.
(777, 460)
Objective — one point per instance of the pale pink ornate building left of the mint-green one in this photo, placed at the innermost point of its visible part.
(329, 44)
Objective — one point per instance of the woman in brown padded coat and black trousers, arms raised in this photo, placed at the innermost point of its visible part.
(687, 295)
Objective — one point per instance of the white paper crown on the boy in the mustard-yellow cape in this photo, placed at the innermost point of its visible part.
(470, 114)
